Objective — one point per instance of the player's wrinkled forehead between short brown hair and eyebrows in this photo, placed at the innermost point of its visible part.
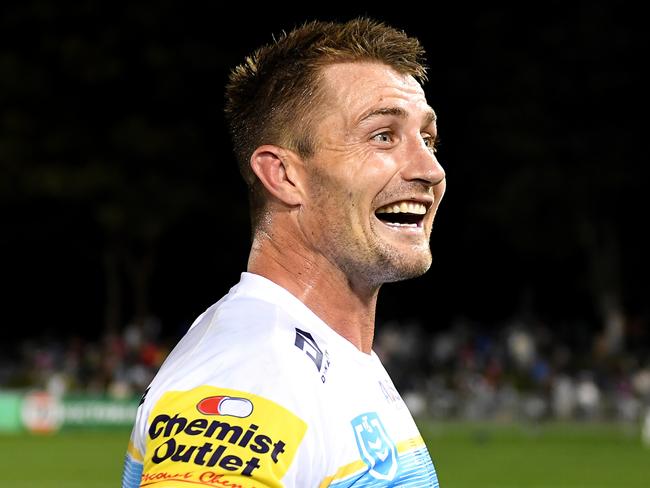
(353, 89)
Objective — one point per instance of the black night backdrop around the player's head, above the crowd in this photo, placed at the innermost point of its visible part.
(542, 117)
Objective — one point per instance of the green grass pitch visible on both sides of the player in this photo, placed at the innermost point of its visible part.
(466, 456)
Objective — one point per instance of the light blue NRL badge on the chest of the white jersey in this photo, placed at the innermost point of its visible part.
(376, 448)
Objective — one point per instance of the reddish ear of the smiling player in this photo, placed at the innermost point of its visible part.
(277, 169)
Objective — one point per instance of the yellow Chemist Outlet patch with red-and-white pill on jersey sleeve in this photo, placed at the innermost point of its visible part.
(223, 431)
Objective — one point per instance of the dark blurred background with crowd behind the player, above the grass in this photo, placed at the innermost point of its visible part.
(124, 217)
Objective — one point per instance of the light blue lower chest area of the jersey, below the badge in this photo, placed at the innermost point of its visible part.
(415, 471)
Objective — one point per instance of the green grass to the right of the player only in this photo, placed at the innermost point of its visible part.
(548, 456)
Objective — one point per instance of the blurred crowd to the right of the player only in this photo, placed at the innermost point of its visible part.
(519, 370)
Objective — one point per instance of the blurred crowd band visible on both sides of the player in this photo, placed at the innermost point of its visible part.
(521, 369)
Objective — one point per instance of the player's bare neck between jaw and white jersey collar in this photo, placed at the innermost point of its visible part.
(347, 307)
